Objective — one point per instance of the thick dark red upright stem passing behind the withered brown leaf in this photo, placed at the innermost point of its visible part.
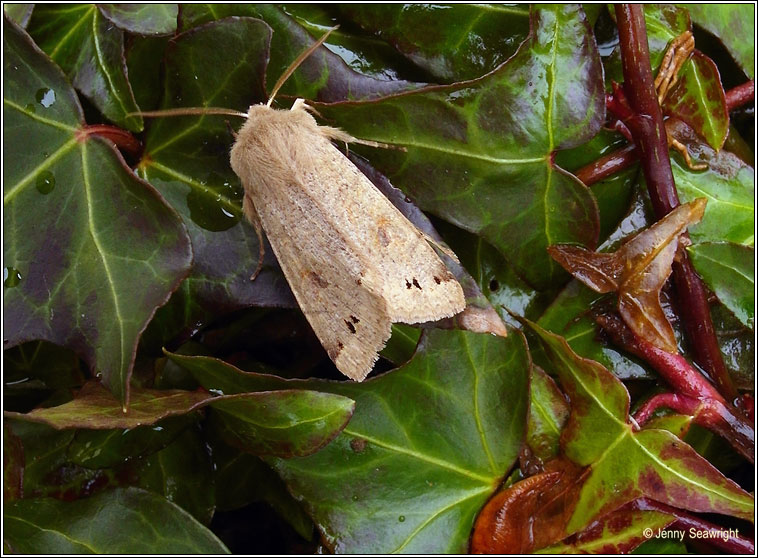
(650, 134)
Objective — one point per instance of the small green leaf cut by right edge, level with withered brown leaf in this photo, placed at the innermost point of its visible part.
(728, 269)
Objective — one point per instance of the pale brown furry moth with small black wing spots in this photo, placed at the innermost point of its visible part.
(354, 263)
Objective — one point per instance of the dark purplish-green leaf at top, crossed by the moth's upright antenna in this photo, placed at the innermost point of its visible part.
(323, 76)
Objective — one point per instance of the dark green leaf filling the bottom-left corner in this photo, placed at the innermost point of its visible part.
(122, 521)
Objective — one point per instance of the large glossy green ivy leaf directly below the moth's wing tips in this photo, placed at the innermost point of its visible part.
(369, 490)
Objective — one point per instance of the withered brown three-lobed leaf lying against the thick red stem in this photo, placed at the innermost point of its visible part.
(637, 270)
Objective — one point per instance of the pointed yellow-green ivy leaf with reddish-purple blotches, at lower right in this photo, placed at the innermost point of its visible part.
(624, 464)
